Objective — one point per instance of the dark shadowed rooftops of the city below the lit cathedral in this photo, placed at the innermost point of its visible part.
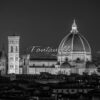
(49, 87)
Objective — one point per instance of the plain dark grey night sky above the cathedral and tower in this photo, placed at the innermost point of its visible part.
(47, 22)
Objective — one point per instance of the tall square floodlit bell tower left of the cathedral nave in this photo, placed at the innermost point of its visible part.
(13, 54)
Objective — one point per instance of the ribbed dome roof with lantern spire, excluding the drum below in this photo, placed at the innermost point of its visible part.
(74, 42)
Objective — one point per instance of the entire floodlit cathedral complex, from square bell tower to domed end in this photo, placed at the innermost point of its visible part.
(73, 54)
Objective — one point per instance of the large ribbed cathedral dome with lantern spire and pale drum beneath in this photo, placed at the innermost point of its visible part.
(74, 46)
